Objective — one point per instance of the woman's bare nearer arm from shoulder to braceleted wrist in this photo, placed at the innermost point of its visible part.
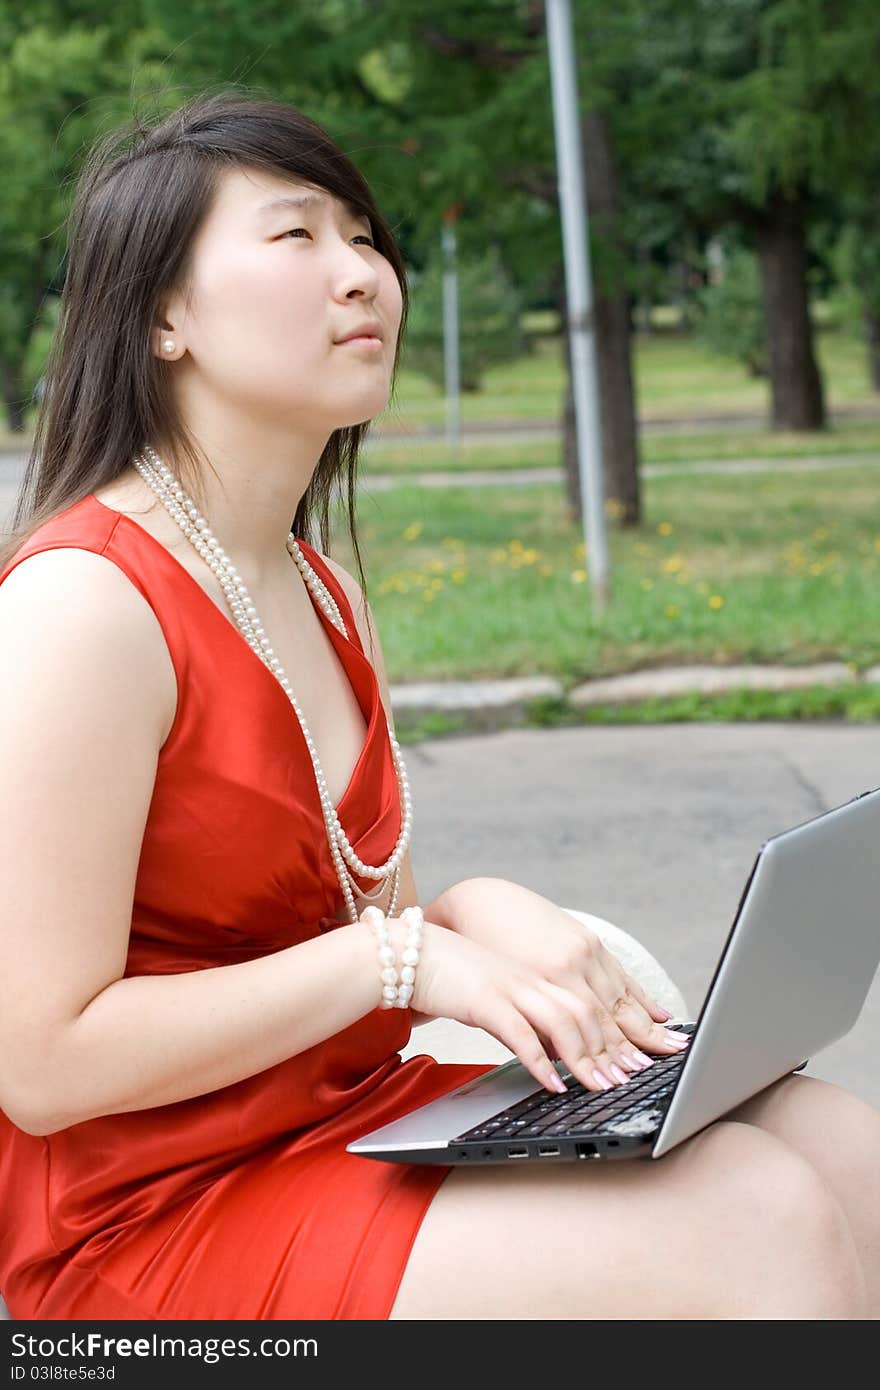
(84, 711)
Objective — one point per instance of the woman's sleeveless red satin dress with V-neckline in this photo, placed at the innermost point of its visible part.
(241, 1203)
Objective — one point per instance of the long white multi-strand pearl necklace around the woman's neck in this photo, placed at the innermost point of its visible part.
(194, 526)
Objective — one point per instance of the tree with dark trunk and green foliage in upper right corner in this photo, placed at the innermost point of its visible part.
(749, 115)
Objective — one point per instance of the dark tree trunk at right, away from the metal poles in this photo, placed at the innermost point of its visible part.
(796, 386)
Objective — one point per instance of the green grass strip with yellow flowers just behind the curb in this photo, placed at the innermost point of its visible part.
(493, 582)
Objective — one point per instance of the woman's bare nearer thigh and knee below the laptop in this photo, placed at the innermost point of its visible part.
(689, 1235)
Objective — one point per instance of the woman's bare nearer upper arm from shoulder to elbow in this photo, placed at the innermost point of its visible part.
(83, 718)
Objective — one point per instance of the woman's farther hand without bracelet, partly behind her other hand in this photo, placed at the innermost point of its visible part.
(535, 932)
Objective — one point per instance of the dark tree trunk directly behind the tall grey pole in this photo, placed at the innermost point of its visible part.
(612, 340)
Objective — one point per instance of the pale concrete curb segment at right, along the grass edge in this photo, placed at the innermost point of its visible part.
(708, 680)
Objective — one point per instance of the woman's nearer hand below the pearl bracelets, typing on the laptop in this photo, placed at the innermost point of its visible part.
(528, 1011)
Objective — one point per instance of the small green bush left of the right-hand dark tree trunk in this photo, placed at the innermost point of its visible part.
(732, 319)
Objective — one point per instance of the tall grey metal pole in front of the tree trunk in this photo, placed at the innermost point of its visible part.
(579, 291)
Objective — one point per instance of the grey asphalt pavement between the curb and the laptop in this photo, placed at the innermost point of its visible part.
(654, 829)
